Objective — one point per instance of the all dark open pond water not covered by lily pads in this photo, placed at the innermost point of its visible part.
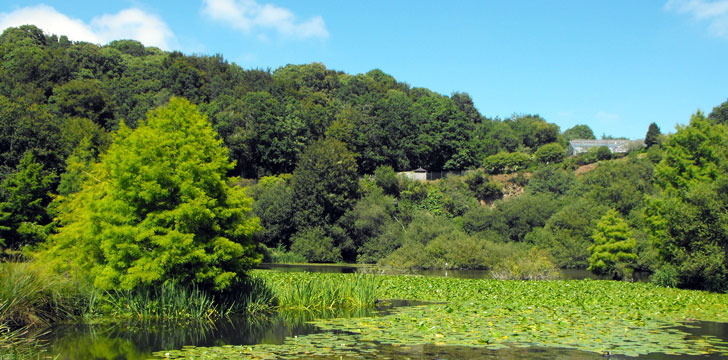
(133, 341)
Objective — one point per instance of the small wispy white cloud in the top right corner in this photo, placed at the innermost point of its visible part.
(715, 13)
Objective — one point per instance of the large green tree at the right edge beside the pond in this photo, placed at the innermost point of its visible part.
(686, 219)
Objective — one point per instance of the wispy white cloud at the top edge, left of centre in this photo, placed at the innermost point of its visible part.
(250, 16)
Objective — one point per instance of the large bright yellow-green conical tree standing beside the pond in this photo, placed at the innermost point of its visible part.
(158, 208)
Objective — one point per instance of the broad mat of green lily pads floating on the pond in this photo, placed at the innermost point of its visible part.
(594, 316)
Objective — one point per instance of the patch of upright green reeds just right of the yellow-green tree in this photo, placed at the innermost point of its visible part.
(320, 291)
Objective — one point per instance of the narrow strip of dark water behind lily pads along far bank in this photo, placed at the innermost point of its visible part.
(565, 274)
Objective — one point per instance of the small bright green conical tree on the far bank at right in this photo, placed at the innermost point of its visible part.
(613, 251)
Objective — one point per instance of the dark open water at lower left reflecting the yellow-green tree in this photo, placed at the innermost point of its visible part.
(134, 340)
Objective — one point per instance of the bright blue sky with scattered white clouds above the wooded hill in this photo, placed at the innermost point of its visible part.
(613, 65)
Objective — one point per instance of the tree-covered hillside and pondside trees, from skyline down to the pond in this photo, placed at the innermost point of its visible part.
(146, 165)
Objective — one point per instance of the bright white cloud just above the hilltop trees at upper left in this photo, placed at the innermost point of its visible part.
(126, 24)
